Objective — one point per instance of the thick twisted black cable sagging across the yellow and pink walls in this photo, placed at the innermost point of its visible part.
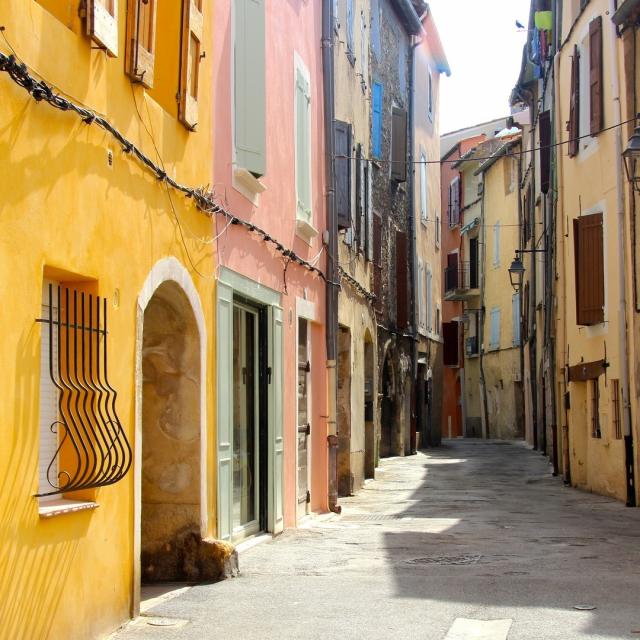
(41, 91)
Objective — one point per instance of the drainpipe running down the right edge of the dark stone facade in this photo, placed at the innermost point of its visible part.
(417, 409)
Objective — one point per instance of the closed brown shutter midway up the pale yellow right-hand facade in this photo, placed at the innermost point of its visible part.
(589, 261)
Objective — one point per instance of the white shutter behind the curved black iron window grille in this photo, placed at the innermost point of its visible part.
(48, 395)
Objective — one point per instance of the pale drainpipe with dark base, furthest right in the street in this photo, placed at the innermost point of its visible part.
(623, 355)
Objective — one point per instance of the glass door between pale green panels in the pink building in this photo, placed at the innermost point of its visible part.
(246, 454)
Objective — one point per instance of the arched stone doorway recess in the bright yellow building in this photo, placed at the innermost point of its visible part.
(170, 438)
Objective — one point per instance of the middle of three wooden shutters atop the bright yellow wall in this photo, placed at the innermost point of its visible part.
(141, 40)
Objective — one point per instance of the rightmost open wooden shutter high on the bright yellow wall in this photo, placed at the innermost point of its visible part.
(192, 32)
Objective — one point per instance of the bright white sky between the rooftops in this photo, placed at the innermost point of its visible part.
(484, 49)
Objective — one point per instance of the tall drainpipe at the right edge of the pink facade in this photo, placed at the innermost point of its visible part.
(332, 255)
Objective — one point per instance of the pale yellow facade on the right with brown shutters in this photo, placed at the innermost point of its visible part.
(592, 238)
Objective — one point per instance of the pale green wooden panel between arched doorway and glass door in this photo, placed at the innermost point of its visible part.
(224, 326)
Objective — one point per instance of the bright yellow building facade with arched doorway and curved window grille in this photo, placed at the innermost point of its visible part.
(83, 210)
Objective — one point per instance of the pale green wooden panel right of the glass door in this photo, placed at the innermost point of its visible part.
(276, 440)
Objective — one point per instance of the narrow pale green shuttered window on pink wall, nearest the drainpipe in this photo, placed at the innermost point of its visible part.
(303, 144)
